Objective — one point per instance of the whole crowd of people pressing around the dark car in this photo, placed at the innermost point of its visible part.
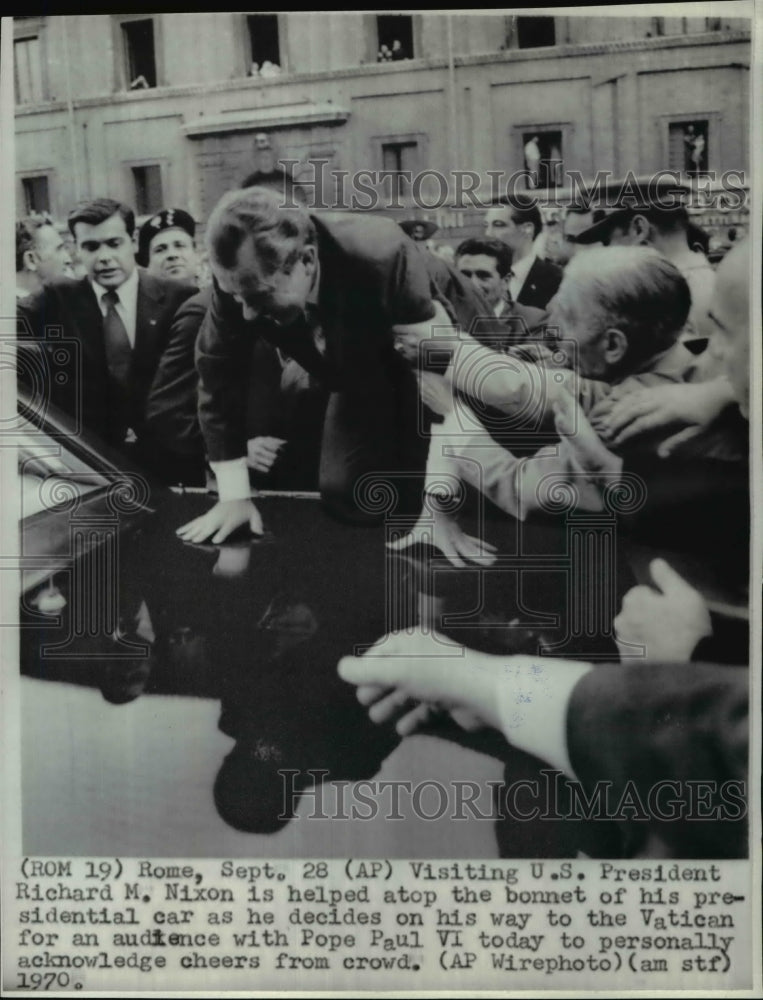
(333, 350)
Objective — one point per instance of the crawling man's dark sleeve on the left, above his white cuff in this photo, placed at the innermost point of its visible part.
(223, 349)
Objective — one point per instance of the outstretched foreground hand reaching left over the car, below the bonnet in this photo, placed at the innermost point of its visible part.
(405, 668)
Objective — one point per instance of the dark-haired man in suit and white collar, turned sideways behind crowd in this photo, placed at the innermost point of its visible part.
(517, 222)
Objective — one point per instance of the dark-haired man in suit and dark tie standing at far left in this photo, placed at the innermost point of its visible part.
(119, 317)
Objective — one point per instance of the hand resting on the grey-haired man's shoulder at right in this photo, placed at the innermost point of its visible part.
(653, 407)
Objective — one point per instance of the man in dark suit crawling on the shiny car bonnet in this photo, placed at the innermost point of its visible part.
(330, 291)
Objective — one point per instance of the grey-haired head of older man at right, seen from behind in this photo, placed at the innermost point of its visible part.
(618, 308)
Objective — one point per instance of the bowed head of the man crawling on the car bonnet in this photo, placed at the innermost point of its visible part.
(262, 253)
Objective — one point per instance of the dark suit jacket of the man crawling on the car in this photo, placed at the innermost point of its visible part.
(372, 277)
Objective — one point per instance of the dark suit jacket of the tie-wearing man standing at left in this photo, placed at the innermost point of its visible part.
(66, 314)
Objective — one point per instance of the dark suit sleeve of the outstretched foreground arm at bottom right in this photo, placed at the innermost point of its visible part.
(637, 726)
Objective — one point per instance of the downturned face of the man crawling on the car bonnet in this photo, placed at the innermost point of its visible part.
(281, 296)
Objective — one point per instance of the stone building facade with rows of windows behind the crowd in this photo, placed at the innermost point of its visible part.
(173, 109)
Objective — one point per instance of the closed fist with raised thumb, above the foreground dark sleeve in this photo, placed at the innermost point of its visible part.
(669, 624)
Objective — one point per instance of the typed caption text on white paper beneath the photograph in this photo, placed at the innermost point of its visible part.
(132, 924)
